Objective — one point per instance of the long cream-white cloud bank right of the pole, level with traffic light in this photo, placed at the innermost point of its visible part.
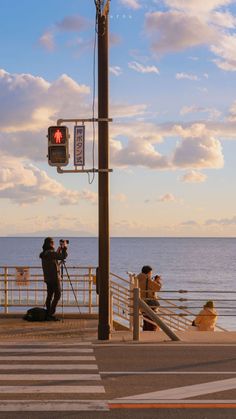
(198, 147)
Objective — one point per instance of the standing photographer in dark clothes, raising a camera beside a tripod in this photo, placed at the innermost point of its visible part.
(51, 272)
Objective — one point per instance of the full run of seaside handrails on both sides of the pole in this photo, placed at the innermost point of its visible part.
(178, 315)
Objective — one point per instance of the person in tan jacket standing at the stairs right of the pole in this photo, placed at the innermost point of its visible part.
(148, 288)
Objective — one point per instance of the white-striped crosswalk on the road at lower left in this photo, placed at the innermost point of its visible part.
(50, 376)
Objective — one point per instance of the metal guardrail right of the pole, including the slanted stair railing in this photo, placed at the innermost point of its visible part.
(175, 310)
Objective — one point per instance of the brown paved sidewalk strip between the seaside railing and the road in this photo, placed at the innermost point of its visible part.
(18, 329)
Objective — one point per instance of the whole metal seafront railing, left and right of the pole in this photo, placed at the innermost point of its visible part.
(177, 308)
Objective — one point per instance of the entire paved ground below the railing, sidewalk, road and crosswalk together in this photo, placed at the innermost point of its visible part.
(60, 370)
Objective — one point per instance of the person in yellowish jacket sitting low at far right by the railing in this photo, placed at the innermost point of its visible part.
(206, 319)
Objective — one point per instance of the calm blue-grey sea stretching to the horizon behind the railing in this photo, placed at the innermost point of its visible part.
(207, 264)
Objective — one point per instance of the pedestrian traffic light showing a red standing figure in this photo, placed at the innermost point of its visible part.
(58, 146)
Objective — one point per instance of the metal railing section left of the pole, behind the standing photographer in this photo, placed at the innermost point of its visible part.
(19, 292)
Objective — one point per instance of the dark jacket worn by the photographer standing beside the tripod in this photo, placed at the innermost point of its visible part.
(50, 265)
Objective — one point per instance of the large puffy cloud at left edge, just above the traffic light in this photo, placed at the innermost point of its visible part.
(28, 102)
